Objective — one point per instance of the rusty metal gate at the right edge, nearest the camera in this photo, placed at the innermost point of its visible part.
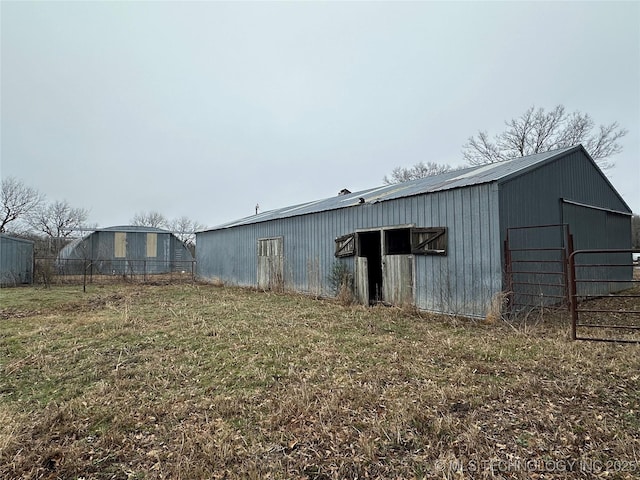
(604, 295)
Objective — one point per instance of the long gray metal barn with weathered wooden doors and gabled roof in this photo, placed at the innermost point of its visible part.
(440, 243)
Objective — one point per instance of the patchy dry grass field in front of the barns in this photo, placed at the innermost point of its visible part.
(197, 381)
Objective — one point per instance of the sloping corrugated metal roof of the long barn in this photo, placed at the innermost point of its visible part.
(445, 181)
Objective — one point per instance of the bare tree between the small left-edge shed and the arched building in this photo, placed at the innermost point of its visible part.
(58, 221)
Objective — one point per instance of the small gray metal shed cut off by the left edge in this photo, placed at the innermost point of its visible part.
(16, 260)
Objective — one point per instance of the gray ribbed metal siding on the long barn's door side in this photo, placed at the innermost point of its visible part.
(462, 282)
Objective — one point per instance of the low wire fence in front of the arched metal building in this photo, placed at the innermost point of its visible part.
(53, 271)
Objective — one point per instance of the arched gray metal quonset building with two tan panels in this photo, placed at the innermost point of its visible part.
(126, 249)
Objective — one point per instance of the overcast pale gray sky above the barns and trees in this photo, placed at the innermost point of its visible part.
(206, 108)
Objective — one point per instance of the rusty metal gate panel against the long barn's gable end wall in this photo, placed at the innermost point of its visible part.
(536, 266)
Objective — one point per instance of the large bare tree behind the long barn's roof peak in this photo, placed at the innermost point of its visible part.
(537, 131)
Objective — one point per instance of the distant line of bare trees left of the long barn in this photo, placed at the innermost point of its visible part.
(25, 212)
